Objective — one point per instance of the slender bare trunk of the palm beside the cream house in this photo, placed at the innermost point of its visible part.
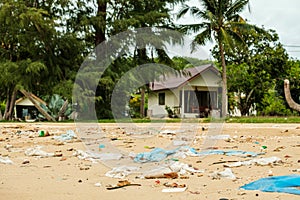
(224, 110)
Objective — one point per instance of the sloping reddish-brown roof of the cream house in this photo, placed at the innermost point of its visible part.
(174, 81)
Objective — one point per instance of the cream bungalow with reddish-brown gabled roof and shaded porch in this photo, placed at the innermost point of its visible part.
(191, 93)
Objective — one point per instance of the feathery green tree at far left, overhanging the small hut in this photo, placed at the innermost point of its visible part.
(39, 50)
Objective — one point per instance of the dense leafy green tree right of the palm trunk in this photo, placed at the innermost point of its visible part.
(255, 69)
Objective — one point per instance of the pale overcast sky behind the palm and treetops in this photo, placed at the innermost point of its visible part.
(283, 16)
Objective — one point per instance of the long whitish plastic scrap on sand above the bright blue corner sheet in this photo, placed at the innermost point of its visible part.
(259, 161)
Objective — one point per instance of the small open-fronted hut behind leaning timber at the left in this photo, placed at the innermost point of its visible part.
(25, 109)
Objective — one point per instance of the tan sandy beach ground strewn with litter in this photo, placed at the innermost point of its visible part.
(60, 173)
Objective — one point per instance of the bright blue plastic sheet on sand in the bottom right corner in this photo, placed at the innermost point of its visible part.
(285, 184)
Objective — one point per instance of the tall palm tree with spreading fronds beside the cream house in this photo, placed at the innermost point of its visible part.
(220, 21)
